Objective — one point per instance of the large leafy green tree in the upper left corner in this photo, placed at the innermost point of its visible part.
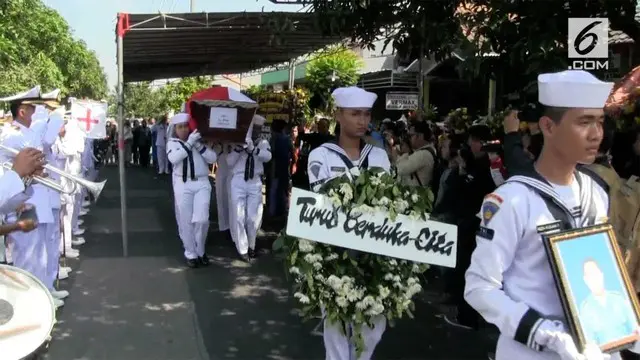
(37, 47)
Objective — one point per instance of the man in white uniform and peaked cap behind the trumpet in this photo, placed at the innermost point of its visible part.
(29, 249)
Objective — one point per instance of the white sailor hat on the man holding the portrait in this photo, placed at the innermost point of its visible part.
(573, 89)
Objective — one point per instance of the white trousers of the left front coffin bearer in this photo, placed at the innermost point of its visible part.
(192, 200)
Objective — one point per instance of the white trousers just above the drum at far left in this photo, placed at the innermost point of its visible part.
(30, 252)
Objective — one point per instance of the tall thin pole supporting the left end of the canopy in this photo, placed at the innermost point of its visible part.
(121, 152)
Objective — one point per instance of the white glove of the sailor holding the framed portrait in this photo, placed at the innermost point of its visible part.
(553, 335)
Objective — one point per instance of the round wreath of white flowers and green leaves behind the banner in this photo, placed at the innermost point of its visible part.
(352, 287)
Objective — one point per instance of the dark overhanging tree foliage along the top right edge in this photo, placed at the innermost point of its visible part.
(528, 36)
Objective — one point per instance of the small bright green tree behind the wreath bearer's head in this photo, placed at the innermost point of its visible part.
(329, 70)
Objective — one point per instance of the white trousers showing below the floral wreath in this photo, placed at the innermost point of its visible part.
(338, 346)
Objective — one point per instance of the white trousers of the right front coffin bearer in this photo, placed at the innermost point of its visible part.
(245, 211)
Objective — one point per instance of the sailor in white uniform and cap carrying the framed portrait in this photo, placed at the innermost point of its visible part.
(510, 281)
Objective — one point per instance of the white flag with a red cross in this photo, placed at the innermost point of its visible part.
(91, 117)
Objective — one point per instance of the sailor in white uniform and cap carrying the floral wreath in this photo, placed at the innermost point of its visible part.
(333, 159)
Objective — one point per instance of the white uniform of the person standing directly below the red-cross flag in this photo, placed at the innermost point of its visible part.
(70, 147)
